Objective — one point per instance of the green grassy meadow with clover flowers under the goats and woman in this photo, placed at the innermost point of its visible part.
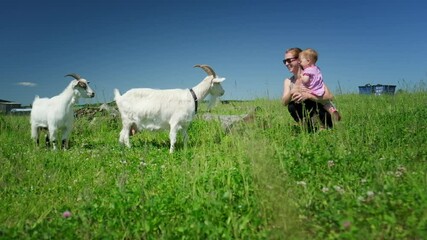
(269, 179)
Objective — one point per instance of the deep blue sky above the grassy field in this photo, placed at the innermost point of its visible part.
(127, 44)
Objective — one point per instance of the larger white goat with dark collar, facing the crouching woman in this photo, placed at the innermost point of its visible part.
(173, 109)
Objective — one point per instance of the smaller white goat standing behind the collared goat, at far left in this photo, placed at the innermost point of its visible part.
(57, 113)
